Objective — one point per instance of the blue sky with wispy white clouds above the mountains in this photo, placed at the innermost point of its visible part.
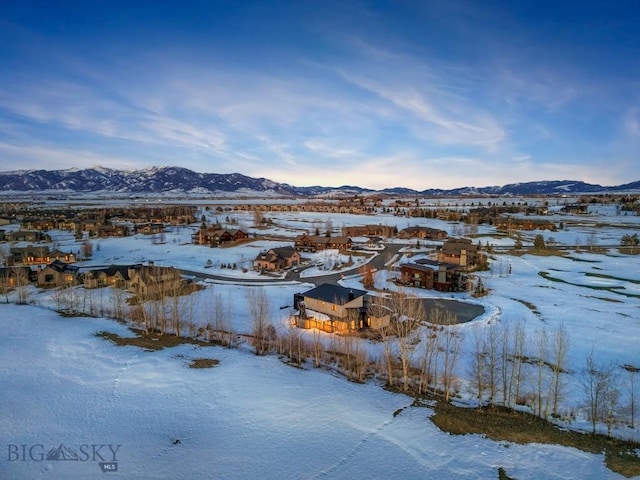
(420, 94)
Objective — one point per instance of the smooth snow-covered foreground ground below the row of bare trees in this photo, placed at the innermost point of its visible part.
(247, 417)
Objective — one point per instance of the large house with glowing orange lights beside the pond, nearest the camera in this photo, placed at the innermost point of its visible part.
(333, 308)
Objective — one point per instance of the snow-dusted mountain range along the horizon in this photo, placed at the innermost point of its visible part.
(182, 180)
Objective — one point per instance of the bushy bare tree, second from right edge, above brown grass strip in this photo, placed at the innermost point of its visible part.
(598, 382)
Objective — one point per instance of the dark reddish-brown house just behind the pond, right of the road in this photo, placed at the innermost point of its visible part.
(432, 275)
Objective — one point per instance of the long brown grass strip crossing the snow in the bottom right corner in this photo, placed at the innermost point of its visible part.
(501, 424)
